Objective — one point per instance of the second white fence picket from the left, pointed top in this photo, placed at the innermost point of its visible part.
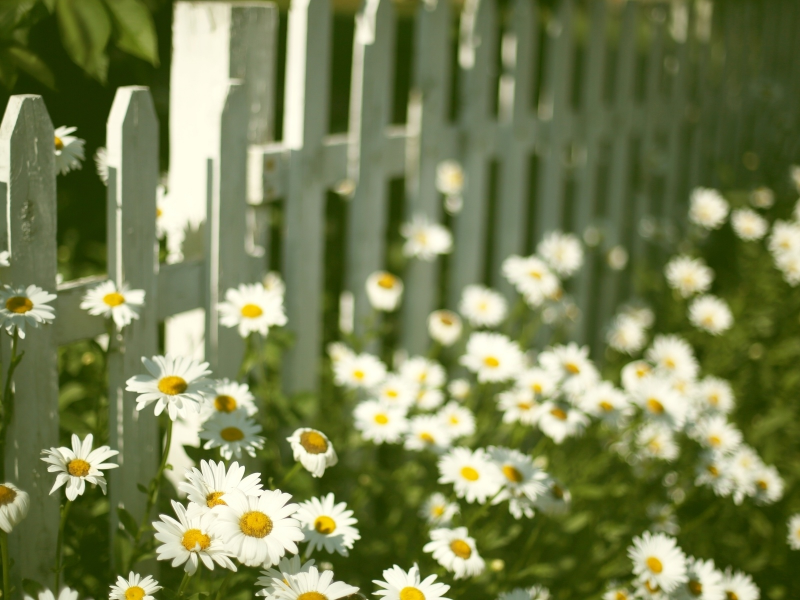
(133, 147)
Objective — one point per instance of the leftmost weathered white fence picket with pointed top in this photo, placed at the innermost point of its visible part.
(27, 168)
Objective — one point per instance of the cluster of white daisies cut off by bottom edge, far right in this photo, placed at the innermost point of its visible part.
(662, 571)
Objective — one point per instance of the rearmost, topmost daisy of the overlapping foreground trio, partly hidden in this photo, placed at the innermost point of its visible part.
(210, 485)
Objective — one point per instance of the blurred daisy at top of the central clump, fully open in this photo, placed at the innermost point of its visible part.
(493, 357)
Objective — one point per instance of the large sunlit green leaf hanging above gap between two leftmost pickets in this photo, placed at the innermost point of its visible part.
(85, 30)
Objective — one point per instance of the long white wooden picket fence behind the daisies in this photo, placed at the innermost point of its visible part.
(225, 168)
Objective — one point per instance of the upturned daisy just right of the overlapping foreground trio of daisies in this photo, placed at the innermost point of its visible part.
(327, 525)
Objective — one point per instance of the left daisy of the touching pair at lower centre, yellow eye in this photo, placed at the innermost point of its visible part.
(473, 474)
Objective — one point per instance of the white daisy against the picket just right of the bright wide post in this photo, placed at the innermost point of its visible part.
(252, 308)
